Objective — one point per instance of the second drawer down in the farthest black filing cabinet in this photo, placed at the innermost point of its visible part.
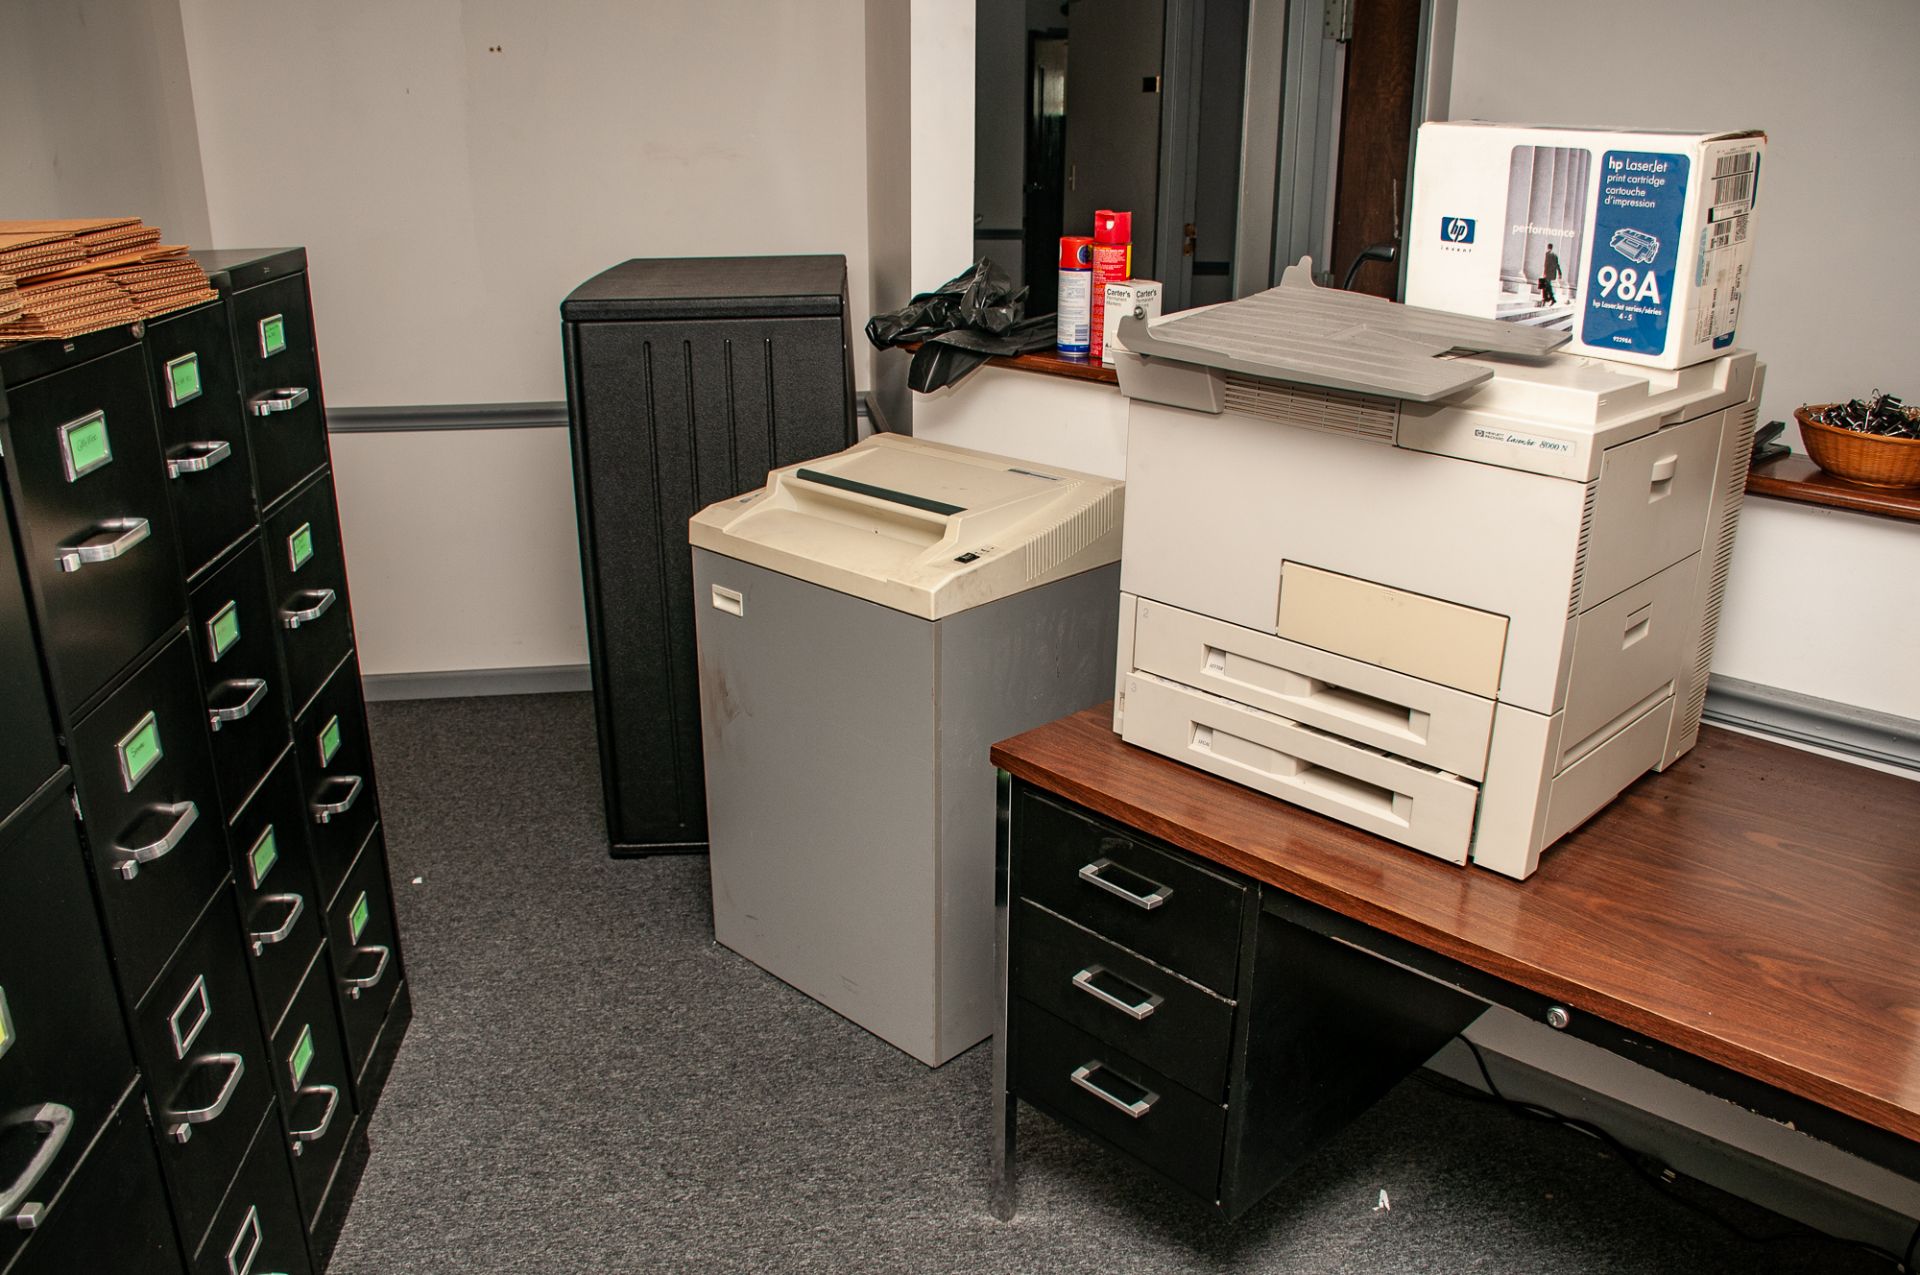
(310, 589)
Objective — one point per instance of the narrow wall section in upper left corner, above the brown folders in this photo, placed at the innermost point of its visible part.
(97, 116)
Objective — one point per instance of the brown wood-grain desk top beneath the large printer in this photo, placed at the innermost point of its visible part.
(1756, 905)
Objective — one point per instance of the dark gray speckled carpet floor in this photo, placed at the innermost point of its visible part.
(592, 1084)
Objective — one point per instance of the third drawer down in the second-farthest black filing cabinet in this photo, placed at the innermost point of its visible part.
(281, 911)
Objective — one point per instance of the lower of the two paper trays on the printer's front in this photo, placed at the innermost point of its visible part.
(1358, 786)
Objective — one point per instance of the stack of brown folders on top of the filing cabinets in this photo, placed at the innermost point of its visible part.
(72, 277)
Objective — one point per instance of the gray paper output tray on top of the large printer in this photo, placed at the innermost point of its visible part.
(1343, 341)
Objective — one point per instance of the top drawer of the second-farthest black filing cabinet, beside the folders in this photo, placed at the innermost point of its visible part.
(203, 435)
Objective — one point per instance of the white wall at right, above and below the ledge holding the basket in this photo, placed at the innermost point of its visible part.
(1833, 276)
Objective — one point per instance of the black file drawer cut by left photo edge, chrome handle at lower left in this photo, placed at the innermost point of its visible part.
(64, 1057)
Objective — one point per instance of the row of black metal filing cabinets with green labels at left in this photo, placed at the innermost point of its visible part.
(193, 1028)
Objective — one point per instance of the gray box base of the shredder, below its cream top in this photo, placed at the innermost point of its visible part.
(850, 796)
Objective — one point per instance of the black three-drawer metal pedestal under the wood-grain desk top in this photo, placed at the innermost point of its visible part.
(1163, 1009)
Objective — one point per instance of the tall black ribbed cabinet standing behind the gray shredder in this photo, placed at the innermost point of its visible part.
(686, 383)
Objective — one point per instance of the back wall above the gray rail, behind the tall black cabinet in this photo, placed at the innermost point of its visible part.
(458, 166)
